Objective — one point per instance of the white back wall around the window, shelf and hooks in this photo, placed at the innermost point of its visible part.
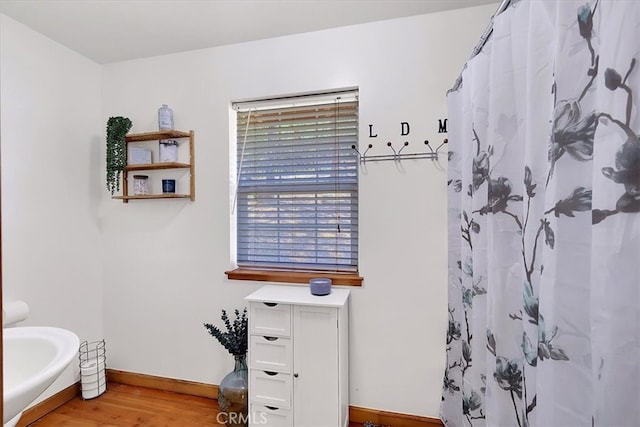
(165, 260)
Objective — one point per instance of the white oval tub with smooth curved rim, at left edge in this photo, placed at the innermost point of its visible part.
(34, 356)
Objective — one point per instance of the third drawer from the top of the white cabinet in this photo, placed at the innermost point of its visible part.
(270, 388)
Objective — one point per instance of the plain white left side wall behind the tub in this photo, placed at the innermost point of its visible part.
(51, 178)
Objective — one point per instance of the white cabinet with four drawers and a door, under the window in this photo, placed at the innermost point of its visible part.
(298, 357)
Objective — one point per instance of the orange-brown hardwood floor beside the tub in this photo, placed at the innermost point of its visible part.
(133, 406)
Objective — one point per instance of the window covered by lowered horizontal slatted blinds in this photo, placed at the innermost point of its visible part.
(297, 192)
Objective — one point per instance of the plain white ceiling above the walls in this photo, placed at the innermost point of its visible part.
(117, 30)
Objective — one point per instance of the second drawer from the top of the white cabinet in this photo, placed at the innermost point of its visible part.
(270, 353)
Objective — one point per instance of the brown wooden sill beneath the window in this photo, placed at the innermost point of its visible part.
(340, 279)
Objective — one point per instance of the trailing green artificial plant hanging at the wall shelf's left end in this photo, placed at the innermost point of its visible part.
(117, 128)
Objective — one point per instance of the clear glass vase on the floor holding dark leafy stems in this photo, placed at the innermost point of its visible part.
(233, 394)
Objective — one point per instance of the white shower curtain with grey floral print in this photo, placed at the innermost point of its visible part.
(544, 221)
